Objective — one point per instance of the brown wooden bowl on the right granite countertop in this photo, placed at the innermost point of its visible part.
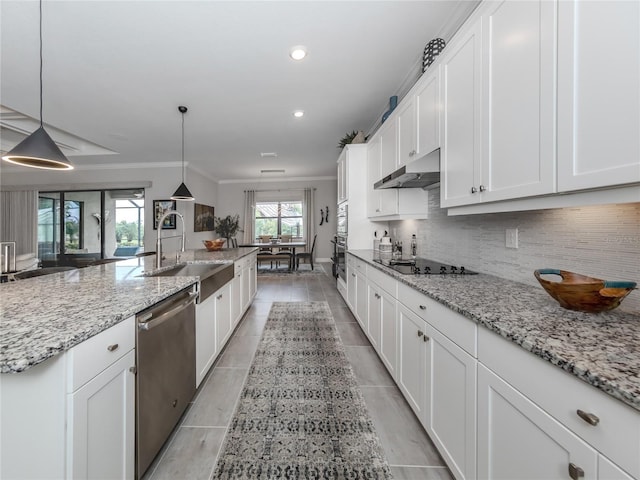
(582, 293)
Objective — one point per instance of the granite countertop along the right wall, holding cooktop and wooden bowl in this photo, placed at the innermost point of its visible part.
(601, 349)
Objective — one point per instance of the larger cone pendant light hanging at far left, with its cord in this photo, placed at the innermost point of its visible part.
(38, 150)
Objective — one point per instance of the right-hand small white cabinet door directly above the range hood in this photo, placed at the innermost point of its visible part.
(428, 108)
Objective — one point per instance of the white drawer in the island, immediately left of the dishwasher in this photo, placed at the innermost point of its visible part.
(89, 358)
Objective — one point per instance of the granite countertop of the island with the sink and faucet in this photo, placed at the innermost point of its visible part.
(43, 316)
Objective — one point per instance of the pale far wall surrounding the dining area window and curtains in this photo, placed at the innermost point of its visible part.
(231, 201)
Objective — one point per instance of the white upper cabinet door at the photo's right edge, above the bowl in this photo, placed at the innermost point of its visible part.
(598, 94)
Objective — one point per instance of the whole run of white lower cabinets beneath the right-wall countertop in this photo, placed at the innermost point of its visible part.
(492, 409)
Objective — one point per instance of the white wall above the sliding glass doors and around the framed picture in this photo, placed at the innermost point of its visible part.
(164, 181)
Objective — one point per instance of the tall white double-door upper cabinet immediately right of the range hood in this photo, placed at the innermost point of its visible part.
(498, 88)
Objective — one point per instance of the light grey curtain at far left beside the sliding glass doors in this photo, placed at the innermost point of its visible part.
(19, 220)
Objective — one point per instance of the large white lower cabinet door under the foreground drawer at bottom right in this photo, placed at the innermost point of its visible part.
(518, 440)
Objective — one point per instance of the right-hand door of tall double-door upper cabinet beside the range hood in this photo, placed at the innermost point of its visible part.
(518, 109)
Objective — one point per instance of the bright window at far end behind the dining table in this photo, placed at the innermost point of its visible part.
(277, 218)
